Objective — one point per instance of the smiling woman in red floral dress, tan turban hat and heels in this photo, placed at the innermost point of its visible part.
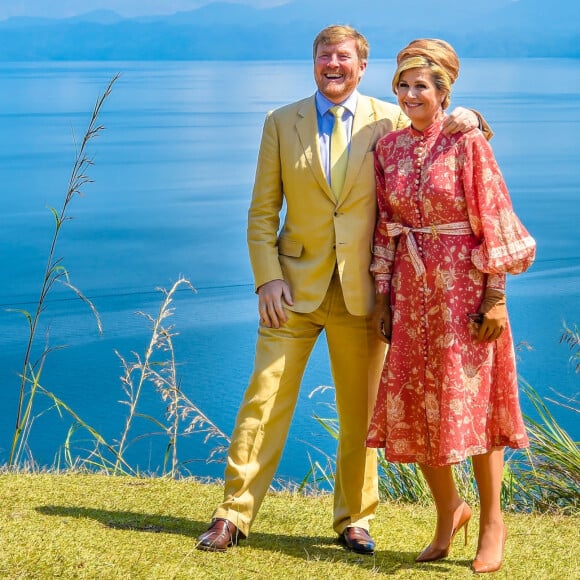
(445, 239)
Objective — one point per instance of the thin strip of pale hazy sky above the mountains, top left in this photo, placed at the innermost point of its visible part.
(63, 8)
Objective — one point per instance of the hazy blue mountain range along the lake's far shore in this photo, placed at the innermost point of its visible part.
(227, 31)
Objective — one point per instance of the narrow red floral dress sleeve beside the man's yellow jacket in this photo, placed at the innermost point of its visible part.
(384, 245)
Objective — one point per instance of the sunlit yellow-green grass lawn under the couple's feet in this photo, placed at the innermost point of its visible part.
(97, 526)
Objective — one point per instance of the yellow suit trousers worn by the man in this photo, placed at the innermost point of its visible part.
(265, 415)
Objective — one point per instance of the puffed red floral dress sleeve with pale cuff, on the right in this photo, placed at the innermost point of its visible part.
(506, 246)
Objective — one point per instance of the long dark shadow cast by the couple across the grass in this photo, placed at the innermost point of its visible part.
(307, 547)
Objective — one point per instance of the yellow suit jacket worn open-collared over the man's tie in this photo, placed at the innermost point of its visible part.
(318, 232)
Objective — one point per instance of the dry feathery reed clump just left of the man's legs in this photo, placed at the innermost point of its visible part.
(155, 369)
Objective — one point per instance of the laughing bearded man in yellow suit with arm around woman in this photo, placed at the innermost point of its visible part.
(312, 275)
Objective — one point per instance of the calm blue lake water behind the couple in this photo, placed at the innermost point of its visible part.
(172, 181)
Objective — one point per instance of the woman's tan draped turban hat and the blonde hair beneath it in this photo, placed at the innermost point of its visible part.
(436, 55)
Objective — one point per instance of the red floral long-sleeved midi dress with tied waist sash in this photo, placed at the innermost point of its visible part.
(446, 230)
